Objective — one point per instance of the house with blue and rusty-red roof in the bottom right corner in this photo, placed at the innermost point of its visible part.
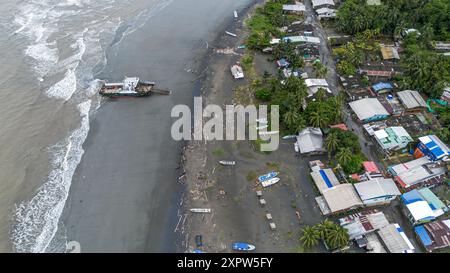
(434, 235)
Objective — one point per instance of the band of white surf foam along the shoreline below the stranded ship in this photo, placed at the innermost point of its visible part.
(37, 220)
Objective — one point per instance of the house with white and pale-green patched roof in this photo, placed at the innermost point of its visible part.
(392, 138)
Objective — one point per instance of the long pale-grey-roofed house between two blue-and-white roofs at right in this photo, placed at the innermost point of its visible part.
(417, 173)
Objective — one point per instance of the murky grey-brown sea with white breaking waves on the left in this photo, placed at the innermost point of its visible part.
(51, 52)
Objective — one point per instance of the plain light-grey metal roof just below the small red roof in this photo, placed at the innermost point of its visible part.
(376, 188)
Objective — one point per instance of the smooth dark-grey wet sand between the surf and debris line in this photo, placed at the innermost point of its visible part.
(125, 194)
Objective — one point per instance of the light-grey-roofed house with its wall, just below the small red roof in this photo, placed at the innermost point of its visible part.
(378, 191)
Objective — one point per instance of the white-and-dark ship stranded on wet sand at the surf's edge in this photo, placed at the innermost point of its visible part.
(132, 87)
